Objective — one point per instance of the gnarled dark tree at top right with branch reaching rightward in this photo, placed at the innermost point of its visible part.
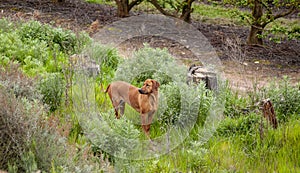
(265, 12)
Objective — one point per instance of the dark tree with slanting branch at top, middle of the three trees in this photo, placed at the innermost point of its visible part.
(181, 9)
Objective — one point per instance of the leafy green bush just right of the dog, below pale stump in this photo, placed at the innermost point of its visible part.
(177, 99)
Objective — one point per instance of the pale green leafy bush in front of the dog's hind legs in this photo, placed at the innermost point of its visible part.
(110, 137)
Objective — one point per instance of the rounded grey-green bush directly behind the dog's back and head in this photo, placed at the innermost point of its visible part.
(151, 63)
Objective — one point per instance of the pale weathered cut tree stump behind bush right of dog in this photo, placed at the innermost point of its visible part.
(200, 73)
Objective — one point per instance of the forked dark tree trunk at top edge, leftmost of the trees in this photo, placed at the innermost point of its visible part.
(124, 6)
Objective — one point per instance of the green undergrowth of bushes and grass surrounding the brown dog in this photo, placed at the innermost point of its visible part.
(42, 133)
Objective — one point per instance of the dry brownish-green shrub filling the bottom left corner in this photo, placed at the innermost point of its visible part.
(29, 143)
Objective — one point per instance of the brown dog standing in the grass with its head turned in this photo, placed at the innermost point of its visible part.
(144, 100)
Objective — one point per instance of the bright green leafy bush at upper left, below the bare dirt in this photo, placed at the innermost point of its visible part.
(39, 48)
